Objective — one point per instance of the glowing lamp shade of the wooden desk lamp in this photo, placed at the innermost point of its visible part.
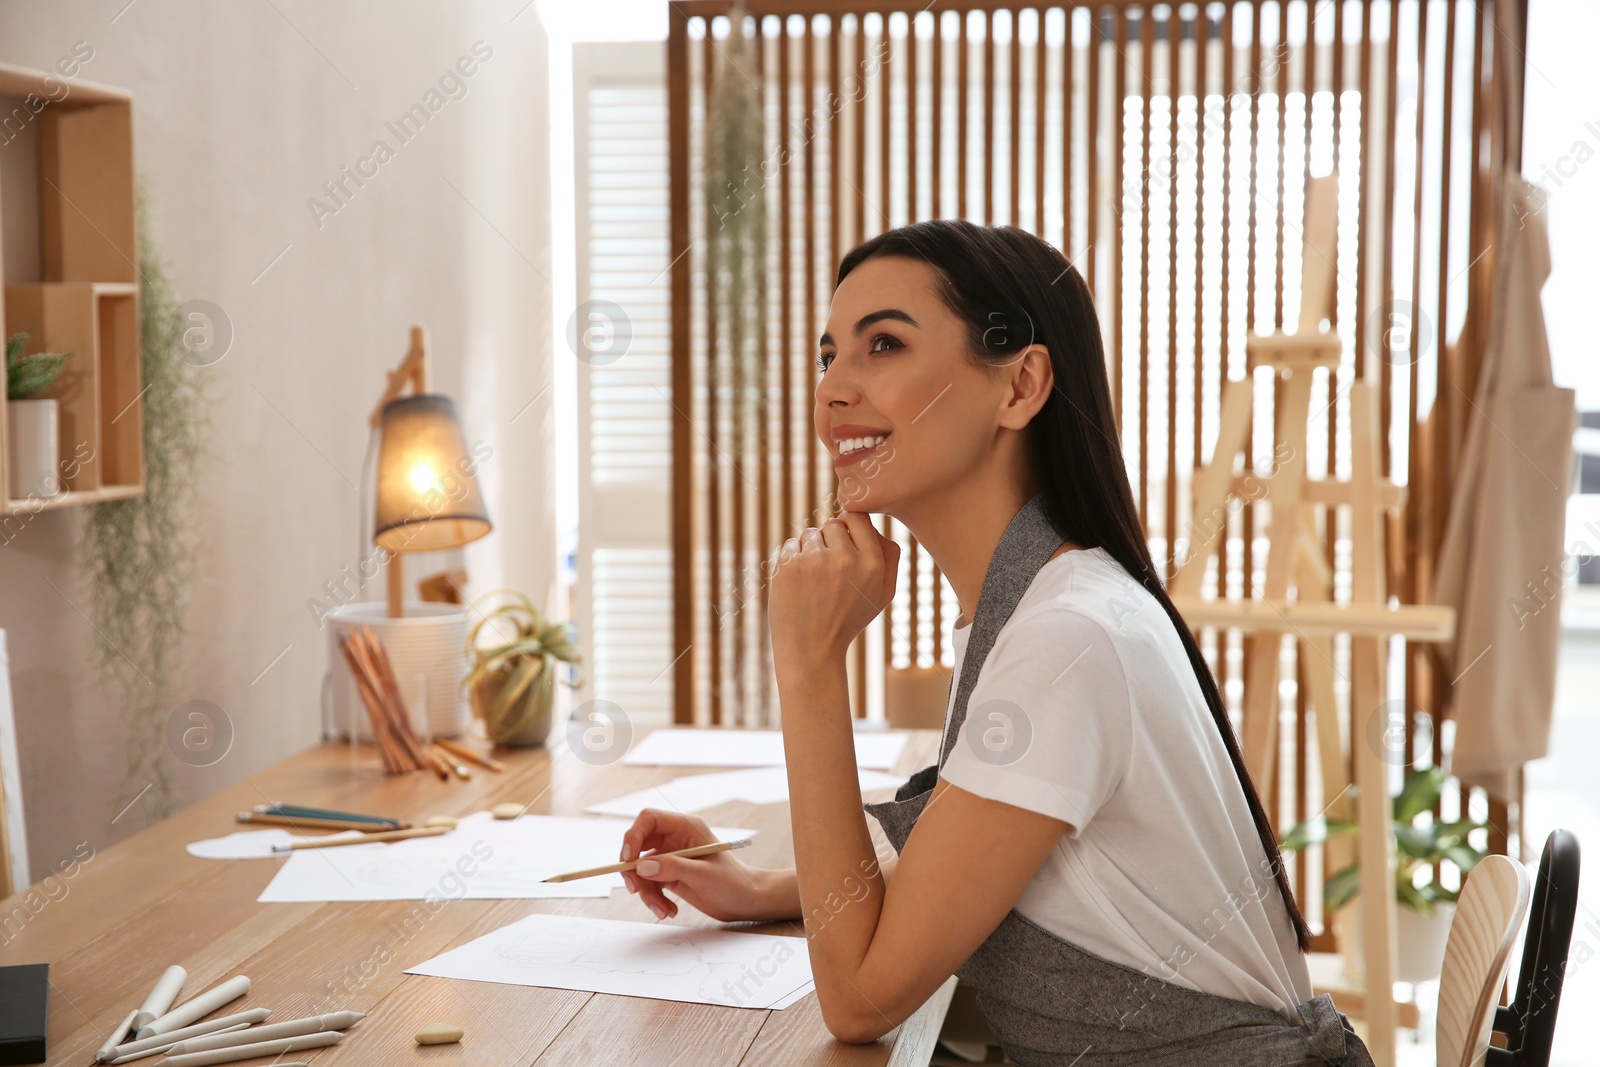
(428, 497)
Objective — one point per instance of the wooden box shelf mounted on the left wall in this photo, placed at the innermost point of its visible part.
(70, 266)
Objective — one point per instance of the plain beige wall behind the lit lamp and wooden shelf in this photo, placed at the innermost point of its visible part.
(242, 111)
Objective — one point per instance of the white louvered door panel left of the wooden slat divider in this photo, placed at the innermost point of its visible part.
(625, 442)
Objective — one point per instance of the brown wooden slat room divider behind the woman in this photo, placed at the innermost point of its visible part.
(1164, 148)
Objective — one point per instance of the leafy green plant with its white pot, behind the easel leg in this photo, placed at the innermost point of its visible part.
(1423, 921)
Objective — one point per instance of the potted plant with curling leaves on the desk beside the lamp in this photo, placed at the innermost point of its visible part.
(514, 655)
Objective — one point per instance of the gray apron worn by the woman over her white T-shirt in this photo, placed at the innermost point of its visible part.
(1052, 1004)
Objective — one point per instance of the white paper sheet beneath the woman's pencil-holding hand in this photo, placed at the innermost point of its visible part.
(482, 860)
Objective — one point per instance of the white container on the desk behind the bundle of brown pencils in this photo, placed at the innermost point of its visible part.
(428, 650)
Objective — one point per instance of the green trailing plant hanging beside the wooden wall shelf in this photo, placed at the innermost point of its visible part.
(140, 553)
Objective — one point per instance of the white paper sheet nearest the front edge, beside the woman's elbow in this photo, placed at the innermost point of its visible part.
(604, 956)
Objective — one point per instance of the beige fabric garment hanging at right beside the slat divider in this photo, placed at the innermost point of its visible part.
(1502, 562)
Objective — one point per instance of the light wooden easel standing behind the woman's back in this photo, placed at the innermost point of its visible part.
(1295, 562)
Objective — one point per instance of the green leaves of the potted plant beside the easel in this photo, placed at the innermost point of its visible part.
(1418, 844)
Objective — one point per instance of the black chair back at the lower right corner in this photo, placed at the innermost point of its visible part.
(1529, 1023)
